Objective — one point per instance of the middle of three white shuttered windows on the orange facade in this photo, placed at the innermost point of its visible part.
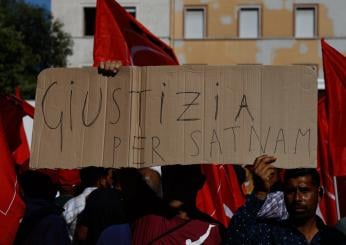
(249, 22)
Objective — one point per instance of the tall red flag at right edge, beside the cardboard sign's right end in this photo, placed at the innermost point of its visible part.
(334, 66)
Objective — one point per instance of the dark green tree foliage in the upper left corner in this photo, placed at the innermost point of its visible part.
(30, 42)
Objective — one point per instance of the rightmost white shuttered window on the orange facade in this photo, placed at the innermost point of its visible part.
(305, 21)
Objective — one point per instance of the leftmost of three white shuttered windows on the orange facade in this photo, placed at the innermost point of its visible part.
(194, 23)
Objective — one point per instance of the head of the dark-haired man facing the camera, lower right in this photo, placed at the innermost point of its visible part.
(302, 193)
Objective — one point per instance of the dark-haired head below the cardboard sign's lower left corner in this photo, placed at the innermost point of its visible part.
(37, 185)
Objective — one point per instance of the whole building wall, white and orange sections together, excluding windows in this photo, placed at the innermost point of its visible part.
(275, 46)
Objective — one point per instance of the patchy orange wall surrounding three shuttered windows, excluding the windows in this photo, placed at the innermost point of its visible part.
(276, 45)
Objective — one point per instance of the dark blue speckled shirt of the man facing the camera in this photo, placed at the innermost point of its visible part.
(246, 228)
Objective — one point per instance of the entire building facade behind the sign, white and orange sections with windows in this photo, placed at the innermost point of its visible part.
(237, 32)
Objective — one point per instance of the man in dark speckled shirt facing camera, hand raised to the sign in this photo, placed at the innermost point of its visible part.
(302, 192)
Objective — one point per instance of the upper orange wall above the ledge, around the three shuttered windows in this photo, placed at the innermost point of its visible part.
(277, 21)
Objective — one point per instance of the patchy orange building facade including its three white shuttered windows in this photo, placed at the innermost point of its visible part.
(266, 32)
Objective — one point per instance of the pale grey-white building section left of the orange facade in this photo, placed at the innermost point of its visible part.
(78, 17)
